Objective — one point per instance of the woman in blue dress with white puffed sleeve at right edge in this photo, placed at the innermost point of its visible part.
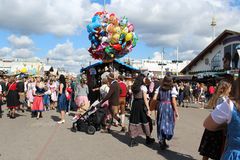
(227, 113)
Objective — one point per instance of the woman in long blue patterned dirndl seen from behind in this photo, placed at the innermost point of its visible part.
(167, 111)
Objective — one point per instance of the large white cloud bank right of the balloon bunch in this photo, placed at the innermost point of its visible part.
(165, 23)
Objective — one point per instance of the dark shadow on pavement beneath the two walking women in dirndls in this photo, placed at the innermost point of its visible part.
(167, 154)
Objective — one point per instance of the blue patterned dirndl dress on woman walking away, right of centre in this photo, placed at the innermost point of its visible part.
(165, 116)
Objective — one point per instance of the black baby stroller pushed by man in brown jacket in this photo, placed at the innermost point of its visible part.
(91, 121)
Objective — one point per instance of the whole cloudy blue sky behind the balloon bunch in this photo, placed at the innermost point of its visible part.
(51, 28)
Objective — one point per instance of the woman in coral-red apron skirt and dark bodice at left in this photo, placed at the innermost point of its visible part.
(38, 93)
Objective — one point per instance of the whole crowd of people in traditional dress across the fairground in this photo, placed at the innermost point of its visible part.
(149, 100)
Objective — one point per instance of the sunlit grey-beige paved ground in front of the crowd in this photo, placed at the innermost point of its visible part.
(25, 138)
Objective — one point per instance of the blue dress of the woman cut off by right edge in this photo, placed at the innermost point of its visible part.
(232, 150)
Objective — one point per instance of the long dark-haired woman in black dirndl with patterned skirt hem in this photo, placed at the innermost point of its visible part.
(138, 121)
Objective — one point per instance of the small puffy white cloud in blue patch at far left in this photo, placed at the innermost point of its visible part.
(20, 42)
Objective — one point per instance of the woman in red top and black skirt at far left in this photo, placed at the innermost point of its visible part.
(12, 97)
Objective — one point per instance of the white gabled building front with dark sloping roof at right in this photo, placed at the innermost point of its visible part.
(219, 57)
